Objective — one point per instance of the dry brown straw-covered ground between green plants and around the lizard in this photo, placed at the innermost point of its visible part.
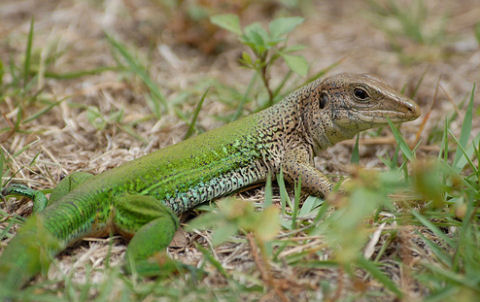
(180, 62)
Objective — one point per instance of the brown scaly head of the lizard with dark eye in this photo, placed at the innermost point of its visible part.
(349, 103)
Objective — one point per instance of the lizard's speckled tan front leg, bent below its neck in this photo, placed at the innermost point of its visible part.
(298, 164)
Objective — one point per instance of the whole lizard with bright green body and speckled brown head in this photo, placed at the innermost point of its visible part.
(140, 199)
